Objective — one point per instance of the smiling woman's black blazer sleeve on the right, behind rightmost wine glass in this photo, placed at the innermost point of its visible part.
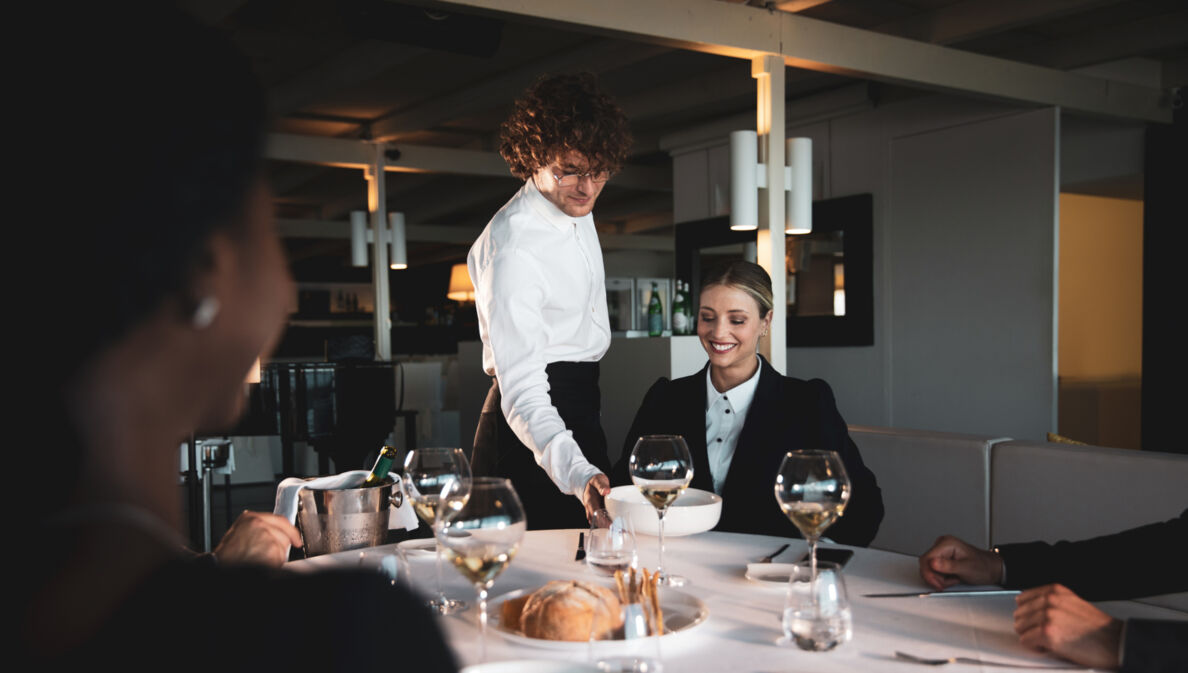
(864, 513)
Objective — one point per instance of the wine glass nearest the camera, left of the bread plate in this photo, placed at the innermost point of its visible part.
(482, 537)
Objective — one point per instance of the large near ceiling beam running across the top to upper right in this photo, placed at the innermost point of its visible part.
(744, 33)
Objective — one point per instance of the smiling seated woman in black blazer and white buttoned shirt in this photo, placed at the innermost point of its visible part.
(741, 417)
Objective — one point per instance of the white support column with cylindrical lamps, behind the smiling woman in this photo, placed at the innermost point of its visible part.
(769, 74)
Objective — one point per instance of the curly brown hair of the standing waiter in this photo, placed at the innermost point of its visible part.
(564, 114)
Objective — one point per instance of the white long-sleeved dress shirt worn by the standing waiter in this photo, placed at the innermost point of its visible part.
(540, 290)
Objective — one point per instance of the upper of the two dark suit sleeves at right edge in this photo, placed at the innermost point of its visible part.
(1141, 562)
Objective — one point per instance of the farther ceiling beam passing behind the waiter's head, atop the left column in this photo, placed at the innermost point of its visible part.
(344, 153)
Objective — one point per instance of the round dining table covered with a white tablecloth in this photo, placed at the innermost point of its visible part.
(743, 630)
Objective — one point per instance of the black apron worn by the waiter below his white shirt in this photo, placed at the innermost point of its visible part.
(498, 452)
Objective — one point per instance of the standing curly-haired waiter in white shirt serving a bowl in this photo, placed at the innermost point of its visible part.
(541, 298)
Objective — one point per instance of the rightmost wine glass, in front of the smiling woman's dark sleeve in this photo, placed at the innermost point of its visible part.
(813, 490)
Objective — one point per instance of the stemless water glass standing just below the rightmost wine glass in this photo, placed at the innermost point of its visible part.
(817, 613)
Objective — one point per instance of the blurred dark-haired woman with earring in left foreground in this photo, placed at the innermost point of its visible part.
(175, 281)
